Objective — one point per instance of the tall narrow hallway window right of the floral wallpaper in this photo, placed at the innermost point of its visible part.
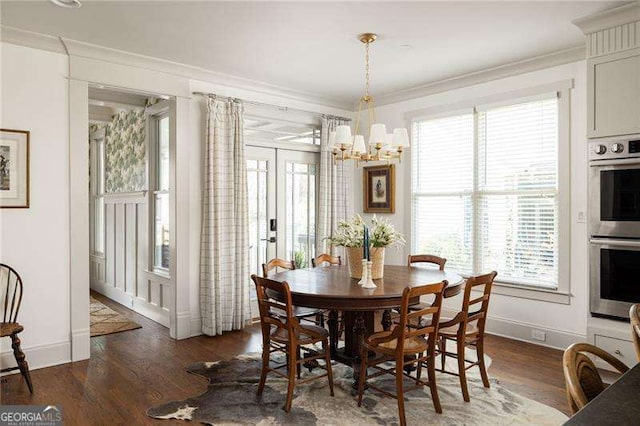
(160, 191)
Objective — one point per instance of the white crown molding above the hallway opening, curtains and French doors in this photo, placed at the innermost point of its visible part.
(91, 51)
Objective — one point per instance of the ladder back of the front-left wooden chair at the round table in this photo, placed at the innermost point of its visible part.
(274, 304)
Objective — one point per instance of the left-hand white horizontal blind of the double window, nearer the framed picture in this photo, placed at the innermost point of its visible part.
(442, 184)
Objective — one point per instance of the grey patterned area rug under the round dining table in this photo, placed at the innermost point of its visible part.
(231, 400)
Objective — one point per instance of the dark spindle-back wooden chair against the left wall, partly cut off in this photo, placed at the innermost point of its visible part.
(11, 298)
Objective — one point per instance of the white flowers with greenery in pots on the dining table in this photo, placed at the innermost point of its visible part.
(350, 233)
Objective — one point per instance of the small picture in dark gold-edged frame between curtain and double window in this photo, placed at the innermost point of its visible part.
(379, 189)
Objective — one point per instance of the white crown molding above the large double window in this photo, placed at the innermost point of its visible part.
(561, 57)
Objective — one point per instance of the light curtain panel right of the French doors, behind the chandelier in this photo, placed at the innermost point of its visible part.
(335, 195)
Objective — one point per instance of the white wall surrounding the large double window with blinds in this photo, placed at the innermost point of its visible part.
(510, 315)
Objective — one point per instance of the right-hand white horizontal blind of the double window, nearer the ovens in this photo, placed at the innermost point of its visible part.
(518, 192)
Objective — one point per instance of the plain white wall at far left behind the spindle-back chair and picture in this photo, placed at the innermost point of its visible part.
(35, 241)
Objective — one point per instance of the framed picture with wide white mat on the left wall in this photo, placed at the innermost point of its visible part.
(14, 168)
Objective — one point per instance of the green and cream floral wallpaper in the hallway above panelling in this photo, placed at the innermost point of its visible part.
(125, 151)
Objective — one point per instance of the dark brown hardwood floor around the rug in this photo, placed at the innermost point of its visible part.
(130, 371)
